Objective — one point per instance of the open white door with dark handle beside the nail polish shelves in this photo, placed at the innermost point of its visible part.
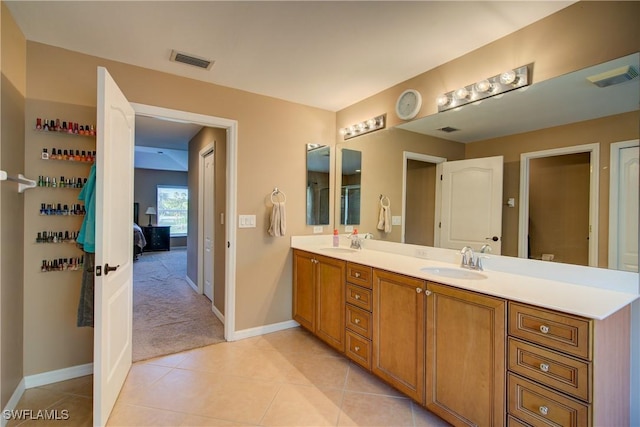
(114, 246)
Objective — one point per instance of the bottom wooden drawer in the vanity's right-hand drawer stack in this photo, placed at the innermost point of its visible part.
(540, 406)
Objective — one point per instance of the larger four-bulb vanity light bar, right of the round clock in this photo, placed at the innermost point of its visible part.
(498, 84)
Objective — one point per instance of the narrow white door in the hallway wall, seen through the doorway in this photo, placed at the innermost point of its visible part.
(208, 193)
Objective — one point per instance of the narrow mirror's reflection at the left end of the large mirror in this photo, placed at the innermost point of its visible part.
(350, 187)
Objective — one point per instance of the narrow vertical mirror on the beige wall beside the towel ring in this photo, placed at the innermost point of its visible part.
(318, 184)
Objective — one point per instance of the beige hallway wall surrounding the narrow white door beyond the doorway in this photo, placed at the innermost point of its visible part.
(218, 138)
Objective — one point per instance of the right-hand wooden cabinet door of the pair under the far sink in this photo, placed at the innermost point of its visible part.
(330, 307)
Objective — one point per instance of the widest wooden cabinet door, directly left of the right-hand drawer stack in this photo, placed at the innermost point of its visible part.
(465, 356)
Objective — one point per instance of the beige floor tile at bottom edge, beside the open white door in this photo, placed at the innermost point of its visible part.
(125, 415)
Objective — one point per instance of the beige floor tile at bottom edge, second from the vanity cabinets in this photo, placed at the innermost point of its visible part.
(301, 405)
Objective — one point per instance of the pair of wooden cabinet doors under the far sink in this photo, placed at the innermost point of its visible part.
(319, 296)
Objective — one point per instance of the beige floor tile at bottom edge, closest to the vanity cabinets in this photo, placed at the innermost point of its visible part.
(360, 409)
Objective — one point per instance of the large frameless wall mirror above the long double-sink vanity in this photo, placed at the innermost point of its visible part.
(561, 118)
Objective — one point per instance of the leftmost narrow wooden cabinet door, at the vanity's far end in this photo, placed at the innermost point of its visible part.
(304, 289)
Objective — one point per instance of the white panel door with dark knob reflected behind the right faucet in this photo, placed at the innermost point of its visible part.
(471, 212)
